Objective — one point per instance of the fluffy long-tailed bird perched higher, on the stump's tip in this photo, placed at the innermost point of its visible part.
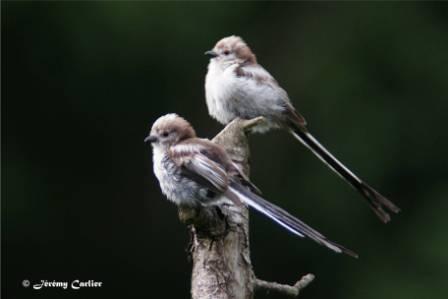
(237, 86)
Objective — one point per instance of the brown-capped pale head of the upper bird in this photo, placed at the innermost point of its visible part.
(231, 50)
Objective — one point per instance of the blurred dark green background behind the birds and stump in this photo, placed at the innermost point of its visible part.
(83, 82)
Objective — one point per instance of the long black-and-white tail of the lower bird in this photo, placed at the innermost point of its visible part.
(282, 217)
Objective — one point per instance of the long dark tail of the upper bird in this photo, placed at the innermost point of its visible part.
(376, 201)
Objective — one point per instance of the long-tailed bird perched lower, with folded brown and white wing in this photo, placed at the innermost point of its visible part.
(195, 172)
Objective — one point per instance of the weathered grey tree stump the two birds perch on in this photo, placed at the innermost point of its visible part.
(220, 250)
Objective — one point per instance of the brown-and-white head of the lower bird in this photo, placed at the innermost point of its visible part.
(168, 130)
